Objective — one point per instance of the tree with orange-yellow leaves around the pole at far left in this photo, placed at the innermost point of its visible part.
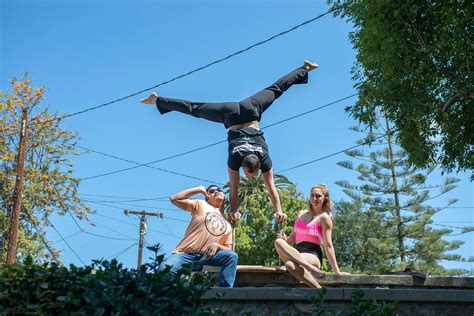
(49, 183)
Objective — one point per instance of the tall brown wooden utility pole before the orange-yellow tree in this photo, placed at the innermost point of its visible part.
(15, 213)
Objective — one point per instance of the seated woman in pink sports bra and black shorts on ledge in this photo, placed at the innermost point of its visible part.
(313, 228)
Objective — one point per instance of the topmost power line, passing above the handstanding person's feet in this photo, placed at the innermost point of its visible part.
(203, 67)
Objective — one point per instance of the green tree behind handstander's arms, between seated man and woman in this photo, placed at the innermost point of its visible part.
(256, 231)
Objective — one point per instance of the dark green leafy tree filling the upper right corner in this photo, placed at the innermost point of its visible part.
(414, 62)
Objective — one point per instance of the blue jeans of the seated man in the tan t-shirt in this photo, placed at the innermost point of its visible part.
(226, 259)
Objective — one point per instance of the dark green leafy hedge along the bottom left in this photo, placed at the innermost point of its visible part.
(103, 288)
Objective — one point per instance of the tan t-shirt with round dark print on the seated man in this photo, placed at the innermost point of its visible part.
(207, 225)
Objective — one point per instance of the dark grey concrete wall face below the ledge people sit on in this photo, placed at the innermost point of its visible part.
(280, 301)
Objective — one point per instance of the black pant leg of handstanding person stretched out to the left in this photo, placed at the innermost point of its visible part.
(211, 111)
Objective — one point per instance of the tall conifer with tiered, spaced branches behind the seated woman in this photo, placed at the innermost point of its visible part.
(389, 211)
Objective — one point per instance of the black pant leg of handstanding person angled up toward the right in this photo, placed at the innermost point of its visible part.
(263, 99)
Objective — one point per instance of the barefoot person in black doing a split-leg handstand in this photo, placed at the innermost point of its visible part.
(247, 147)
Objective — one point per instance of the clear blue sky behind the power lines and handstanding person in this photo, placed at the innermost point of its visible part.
(91, 52)
